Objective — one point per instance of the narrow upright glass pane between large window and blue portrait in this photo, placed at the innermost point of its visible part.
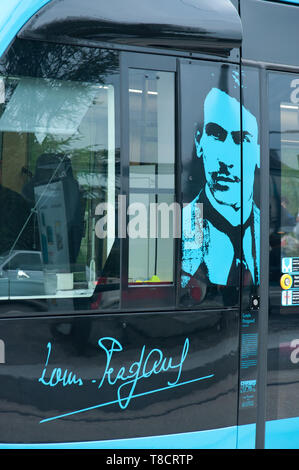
(152, 157)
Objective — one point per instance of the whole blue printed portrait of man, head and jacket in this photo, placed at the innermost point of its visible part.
(211, 222)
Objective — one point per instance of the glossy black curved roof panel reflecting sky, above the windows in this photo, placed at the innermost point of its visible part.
(176, 24)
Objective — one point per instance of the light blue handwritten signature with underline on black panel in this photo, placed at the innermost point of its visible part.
(125, 378)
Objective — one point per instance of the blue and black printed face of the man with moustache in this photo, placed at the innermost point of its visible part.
(220, 147)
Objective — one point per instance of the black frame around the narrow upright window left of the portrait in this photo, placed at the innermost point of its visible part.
(150, 296)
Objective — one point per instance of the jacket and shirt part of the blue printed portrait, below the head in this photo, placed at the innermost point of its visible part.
(212, 247)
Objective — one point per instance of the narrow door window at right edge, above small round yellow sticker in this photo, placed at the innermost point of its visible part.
(284, 182)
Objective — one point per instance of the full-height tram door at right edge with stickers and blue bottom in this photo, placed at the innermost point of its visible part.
(283, 334)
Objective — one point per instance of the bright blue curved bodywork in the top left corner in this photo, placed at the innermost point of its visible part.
(13, 15)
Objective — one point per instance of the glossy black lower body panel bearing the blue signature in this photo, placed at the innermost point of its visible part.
(212, 339)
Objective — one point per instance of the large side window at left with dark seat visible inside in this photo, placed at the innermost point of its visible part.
(60, 177)
